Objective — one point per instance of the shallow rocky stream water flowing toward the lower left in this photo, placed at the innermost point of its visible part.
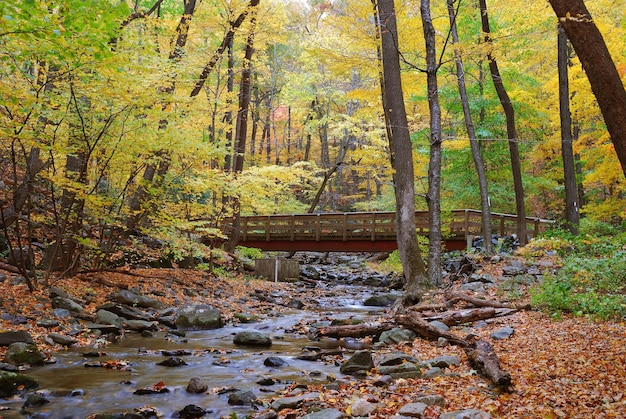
(76, 391)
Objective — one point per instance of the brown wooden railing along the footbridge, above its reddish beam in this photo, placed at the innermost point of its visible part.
(371, 226)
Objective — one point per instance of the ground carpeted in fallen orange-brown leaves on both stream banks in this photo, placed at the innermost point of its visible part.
(565, 367)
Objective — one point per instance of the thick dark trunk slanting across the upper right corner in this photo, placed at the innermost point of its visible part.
(603, 76)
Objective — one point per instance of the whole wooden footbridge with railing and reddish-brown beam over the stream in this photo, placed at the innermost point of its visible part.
(365, 231)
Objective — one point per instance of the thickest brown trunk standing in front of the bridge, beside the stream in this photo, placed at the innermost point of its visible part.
(401, 153)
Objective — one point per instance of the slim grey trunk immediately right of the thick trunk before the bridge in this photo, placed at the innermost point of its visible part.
(434, 165)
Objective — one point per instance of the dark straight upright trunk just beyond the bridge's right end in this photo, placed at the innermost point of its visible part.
(569, 176)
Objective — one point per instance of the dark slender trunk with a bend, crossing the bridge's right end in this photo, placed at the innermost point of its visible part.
(511, 132)
